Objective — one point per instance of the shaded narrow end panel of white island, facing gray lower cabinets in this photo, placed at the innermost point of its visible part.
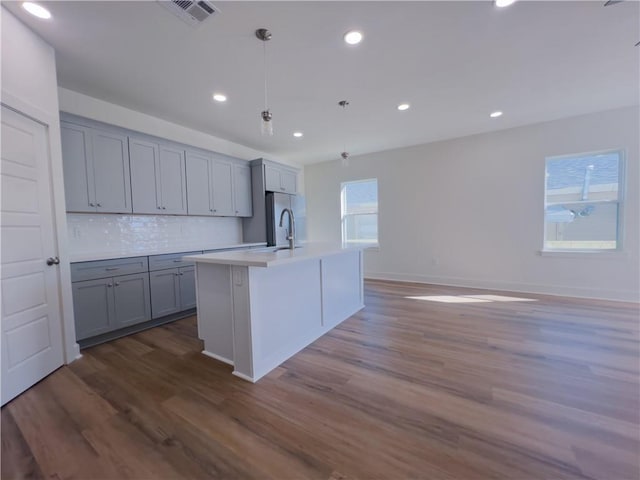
(215, 310)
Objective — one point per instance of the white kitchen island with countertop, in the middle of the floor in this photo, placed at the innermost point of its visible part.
(257, 308)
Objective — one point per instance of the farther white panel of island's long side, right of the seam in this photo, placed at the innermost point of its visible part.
(341, 287)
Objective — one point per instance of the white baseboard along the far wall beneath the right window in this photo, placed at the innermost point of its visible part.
(554, 290)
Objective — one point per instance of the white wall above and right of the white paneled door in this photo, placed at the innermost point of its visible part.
(29, 85)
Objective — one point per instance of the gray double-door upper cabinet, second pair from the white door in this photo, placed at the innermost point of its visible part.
(158, 178)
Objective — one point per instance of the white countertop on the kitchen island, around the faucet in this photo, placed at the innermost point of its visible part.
(269, 258)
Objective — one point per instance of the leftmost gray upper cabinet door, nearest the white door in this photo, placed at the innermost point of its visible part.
(79, 188)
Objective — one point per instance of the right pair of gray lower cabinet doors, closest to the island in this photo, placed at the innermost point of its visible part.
(172, 290)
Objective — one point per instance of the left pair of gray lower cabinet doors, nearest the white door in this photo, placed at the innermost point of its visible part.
(107, 304)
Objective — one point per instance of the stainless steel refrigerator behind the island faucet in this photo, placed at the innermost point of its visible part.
(276, 202)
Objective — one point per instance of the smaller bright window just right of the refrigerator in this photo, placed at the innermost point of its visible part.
(359, 201)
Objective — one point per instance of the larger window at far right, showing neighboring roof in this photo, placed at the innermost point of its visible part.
(583, 198)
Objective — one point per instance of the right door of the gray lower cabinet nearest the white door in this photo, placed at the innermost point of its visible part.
(131, 299)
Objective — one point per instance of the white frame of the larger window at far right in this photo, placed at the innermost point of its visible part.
(622, 179)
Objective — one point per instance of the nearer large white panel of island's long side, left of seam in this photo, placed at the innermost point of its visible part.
(285, 312)
